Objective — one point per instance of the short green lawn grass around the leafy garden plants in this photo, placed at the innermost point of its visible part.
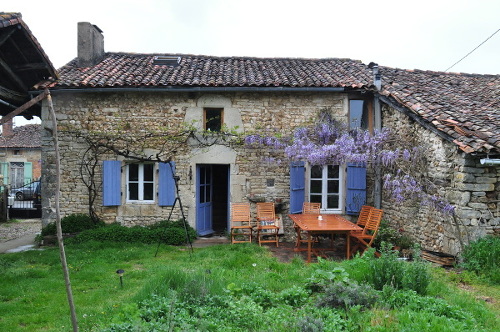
(33, 298)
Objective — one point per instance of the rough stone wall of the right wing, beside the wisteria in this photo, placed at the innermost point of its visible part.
(471, 187)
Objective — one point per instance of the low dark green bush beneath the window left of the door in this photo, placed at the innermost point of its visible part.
(167, 232)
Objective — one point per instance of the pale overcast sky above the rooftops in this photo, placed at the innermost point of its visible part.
(424, 34)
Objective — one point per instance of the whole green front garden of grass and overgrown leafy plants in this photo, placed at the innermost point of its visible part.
(223, 288)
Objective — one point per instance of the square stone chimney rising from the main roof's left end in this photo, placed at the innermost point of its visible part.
(90, 44)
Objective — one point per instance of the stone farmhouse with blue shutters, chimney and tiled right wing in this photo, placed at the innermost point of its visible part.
(107, 104)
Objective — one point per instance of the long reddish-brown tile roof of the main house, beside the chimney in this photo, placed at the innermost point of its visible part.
(138, 70)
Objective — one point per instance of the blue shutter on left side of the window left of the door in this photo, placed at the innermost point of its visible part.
(111, 186)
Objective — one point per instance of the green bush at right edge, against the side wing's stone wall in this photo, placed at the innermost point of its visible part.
(483, 257)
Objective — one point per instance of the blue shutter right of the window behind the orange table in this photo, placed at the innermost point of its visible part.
(356, 188)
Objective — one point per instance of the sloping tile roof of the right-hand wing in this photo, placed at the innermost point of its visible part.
(464, 106)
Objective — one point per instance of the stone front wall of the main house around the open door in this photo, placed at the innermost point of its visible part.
(132, 112)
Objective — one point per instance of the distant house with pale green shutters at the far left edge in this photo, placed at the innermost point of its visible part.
(20, 154)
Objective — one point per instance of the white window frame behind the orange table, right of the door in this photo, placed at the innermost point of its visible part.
(324, 198)
